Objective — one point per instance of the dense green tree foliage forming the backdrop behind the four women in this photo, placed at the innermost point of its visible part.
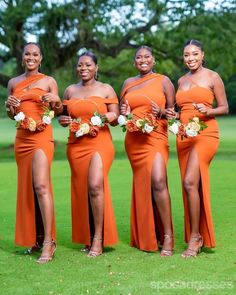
(112, 29)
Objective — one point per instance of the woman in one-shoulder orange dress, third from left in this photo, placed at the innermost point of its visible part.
(147, 95)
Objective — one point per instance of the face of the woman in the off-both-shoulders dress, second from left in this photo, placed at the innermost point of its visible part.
(86, 68)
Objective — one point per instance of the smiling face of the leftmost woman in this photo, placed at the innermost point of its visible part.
(31, 57)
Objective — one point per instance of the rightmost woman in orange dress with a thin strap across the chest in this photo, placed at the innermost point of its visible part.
(197, 91)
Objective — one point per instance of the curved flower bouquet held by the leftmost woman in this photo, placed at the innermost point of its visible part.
(28, 123)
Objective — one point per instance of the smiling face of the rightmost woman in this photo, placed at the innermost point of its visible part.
(193, 57)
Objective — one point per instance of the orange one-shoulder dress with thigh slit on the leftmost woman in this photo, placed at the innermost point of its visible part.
(28, 218)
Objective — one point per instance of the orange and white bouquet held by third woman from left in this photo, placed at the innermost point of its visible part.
(146, 125)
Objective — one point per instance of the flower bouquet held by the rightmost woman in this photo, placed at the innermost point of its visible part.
(191, 129)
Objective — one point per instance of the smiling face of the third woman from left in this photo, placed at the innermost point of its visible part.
(144, 61)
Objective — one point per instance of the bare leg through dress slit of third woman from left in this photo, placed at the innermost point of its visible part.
(162, 200)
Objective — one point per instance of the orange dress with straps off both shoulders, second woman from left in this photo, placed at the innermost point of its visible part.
(79, 152)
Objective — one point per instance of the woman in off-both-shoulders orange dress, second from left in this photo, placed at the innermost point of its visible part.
(88, 107)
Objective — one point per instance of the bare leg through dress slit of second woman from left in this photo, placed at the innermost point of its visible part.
(96, 197)
